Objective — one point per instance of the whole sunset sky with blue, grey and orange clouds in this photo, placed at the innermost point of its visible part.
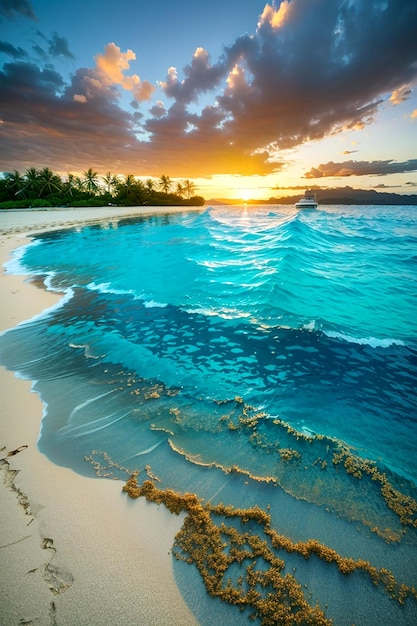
(246, 98)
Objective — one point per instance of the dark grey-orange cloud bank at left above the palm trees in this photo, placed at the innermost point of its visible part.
(54, 124)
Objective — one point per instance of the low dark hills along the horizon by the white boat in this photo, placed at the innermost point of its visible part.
(338, 195)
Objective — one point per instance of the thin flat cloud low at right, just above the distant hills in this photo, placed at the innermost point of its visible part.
(362, 168)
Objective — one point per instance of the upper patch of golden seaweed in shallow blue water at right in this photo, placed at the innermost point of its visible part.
(324, 470)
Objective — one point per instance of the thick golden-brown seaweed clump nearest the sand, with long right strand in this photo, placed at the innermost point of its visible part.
(236, 553)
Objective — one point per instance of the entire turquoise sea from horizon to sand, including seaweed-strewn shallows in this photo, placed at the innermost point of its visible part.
(254, 356)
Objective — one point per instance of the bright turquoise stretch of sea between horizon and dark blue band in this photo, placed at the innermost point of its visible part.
(284, 269)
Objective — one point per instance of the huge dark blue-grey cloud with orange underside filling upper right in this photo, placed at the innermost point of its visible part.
(275, 90)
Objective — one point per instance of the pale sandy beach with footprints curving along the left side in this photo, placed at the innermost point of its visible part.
(75, 551)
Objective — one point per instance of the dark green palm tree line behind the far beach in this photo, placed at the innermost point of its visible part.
(45, 188)
